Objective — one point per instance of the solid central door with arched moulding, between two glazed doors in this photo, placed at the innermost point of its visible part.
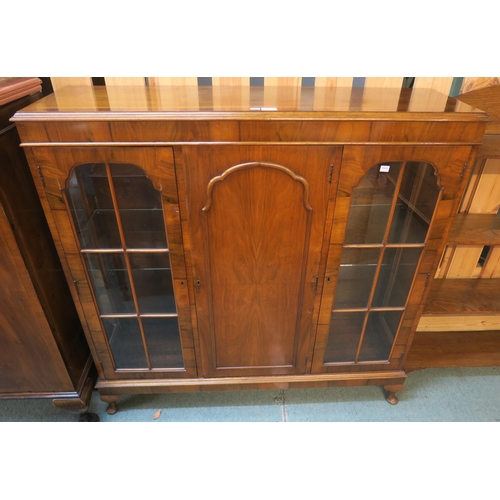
(256, 223)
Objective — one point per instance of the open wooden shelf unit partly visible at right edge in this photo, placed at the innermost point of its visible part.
(460, 325)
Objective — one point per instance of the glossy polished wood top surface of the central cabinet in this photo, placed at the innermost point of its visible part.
(246, 103)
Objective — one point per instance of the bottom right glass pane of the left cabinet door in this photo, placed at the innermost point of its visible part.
(164, 344)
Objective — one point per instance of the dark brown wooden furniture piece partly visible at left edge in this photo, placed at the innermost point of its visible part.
(43, 350)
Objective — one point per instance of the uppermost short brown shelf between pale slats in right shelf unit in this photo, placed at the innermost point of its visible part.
(475, 229)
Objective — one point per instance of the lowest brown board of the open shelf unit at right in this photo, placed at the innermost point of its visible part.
(454, 349)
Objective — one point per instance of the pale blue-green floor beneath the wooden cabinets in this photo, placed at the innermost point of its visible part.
(431, 395)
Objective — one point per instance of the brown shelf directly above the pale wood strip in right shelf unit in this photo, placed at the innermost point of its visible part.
(463, 296)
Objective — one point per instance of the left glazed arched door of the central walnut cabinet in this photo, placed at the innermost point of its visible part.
(114, 216)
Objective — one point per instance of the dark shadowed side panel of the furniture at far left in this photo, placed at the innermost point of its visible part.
(25, 214)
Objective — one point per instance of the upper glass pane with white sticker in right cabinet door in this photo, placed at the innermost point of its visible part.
(371, 204)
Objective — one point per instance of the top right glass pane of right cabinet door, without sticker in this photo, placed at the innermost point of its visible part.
(416, 202)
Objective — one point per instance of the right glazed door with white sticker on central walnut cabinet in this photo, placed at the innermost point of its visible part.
(393, 208)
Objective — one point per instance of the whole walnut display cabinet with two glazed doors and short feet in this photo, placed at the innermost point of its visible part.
(257, 238)
